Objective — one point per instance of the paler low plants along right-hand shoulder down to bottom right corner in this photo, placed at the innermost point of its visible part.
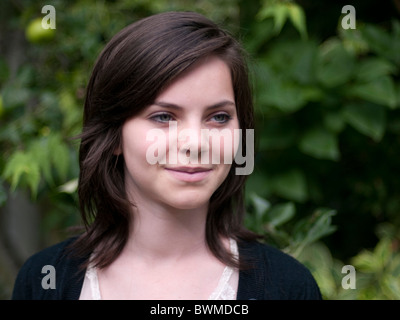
(376, 271)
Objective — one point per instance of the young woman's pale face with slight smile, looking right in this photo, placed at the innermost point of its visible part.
(170, 156)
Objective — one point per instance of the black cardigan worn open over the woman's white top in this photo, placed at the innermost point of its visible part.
(275, 276)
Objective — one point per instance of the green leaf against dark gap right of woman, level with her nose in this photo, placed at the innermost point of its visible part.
(320, 143)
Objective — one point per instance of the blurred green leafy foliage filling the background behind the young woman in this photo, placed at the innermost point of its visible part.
(325, 187)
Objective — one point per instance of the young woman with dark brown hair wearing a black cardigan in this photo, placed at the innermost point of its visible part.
(170, 228)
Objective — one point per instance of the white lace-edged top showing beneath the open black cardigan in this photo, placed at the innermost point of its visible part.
(225, 290)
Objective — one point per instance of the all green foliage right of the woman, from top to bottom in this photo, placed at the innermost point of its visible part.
(320, 108)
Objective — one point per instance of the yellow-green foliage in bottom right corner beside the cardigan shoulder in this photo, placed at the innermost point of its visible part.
(376, 277)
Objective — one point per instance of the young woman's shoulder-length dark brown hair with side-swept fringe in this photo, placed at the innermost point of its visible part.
(134, 67)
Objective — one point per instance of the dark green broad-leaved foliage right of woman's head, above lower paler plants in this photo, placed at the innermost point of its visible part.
(312, 97)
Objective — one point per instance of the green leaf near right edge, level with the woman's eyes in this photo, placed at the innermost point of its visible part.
(367, 118)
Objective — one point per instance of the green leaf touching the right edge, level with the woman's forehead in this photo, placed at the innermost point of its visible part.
(379, 90)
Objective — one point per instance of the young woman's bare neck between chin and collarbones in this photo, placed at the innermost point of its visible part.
(159, 232)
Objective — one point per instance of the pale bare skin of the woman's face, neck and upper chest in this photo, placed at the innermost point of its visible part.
(166, 256)
